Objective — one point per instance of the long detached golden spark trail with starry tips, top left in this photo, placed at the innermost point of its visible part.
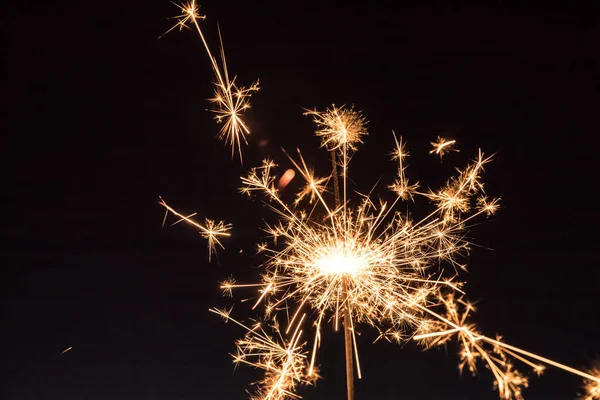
(230, 101)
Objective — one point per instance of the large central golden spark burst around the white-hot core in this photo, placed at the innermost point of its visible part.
(370, 258)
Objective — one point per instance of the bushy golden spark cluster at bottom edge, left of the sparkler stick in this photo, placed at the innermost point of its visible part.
(283, 360)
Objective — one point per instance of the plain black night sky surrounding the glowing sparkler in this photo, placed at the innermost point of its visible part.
(102, 118)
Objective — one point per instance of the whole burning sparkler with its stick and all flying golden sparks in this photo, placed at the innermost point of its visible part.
(364, 262)
